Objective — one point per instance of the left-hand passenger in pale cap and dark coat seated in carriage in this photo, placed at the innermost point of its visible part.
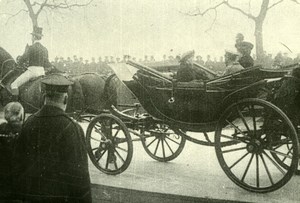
(186, 71)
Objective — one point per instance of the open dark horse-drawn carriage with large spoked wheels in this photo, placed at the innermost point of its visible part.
(255, 141)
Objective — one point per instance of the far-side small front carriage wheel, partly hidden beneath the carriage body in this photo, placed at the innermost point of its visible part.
(162, 143)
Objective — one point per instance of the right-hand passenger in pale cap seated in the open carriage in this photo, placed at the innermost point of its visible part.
(231, 62)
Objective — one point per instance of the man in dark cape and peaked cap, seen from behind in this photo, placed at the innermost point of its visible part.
(51, 162)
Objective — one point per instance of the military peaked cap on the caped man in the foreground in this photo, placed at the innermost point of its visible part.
(56, 83)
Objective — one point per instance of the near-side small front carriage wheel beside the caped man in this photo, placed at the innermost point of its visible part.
(109, 144)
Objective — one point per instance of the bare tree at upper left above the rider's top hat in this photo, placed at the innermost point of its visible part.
(35, 7)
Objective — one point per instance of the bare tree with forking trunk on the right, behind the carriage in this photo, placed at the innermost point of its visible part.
(258, 20)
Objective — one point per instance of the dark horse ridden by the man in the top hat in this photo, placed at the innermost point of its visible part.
(90, 93)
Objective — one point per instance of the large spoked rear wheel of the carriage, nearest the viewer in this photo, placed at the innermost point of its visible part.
(262, 130)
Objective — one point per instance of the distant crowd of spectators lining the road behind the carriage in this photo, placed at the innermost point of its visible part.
(79, 64)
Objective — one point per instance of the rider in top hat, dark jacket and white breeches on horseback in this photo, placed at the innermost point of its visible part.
(37, 57)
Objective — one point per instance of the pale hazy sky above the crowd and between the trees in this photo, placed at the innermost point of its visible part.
(149, 27)
